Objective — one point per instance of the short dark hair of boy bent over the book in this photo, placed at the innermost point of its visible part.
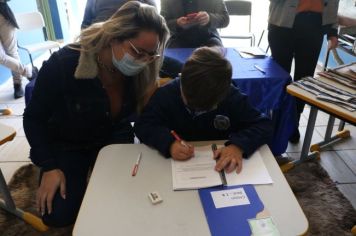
(206, 78)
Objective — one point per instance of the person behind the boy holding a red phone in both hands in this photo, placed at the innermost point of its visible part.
(194, 23)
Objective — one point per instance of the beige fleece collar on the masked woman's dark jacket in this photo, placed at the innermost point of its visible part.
(87, 66)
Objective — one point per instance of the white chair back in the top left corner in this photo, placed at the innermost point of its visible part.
(30, 21)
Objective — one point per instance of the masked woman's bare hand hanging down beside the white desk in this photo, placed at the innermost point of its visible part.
(50, 182)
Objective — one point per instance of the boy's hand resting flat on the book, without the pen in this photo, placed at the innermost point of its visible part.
(229, 158)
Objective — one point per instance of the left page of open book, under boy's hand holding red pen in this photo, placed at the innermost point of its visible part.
(197, 172)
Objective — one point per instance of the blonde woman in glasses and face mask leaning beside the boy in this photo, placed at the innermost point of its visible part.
(83, 99)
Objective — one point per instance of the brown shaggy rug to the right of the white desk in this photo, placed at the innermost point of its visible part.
(326, 208)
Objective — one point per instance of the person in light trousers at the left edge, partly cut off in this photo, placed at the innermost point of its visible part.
(9, 56)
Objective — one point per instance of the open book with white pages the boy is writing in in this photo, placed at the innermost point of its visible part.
(198, 172)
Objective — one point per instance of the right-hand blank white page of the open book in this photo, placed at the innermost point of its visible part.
(253, 171)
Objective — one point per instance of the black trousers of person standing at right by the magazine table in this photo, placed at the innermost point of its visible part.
(302, 42)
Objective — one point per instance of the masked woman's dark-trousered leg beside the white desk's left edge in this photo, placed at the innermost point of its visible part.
(75, 167)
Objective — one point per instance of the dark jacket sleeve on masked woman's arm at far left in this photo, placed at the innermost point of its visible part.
(38, 112)
